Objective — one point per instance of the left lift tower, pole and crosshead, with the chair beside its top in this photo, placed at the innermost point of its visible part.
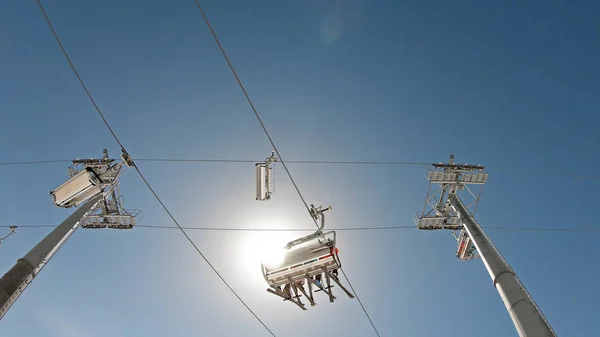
(92, 183)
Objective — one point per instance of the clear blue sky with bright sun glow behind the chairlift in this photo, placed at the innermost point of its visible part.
(508, 84)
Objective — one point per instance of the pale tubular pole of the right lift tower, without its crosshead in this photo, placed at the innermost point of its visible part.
(525, 314)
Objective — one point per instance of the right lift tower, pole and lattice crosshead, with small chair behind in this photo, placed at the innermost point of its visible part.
(444, 209)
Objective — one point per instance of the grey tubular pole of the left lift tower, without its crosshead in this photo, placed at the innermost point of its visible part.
(14, 282)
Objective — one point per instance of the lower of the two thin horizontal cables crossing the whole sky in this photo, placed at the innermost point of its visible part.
(355, 229)
